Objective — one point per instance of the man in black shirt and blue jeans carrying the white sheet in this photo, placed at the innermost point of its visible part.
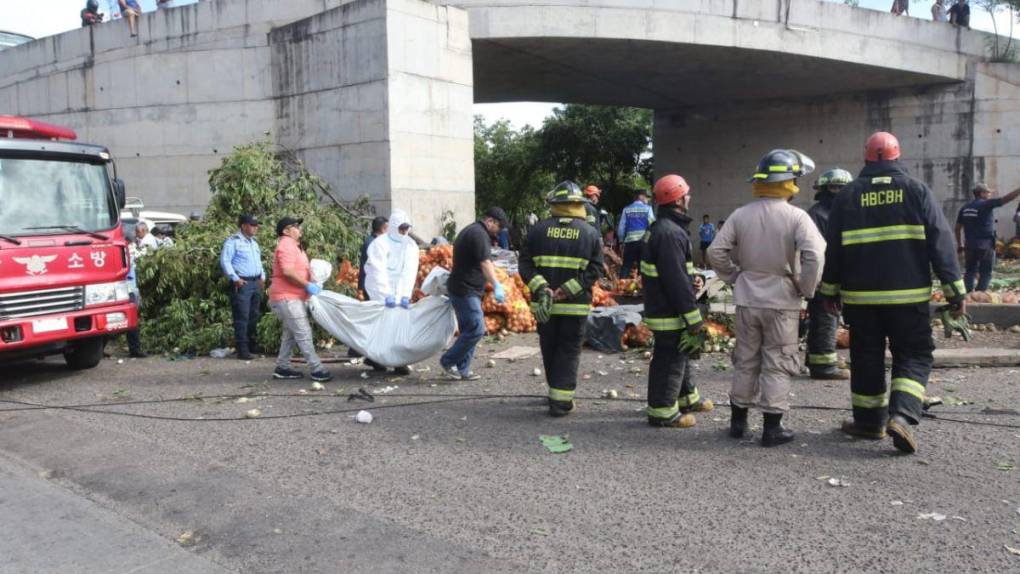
(473, 266)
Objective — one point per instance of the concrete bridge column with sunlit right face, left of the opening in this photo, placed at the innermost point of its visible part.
(376, 97)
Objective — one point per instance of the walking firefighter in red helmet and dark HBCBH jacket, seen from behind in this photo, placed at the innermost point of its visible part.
(887, 236)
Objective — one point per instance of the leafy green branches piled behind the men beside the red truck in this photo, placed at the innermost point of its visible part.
(185, 302)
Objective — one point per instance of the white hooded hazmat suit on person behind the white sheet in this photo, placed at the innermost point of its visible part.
(393, 264)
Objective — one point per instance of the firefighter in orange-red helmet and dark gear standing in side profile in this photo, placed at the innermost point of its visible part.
(672, 309)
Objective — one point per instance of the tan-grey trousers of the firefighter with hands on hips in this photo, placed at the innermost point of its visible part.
(766, 357)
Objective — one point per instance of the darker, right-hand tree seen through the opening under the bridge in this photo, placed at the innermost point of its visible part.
(599, 145)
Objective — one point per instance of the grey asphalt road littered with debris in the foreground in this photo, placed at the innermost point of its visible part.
(467, 486)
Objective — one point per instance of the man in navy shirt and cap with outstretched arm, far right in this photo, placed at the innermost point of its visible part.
(977, 222)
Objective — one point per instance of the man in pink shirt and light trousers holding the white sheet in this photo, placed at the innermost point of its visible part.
(290, 289)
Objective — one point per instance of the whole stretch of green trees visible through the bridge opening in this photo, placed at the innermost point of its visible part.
(604, 146)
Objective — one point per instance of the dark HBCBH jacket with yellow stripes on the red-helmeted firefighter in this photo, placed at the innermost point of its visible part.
(886, 237)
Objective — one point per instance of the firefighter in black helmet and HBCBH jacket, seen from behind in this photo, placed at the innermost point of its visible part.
(560, 262)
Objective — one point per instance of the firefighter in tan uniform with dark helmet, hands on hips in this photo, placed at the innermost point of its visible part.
(775, 255)
